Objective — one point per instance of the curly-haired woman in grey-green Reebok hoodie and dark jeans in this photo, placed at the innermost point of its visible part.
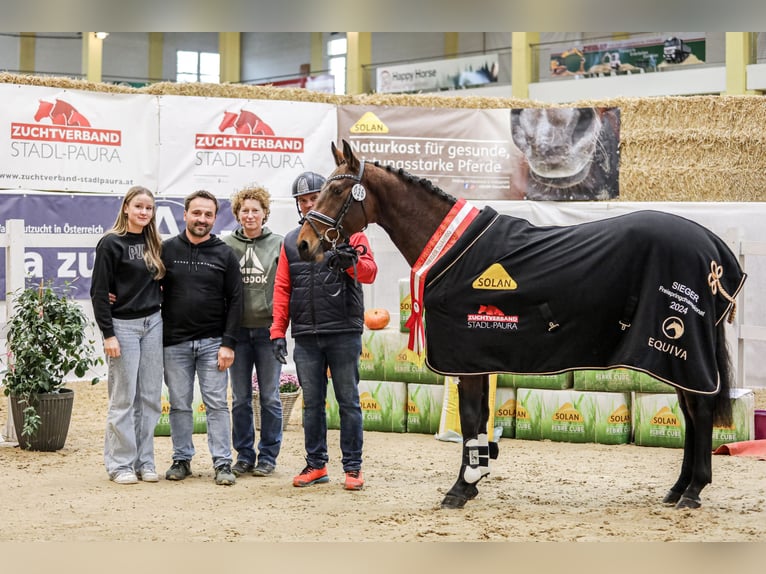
(257, 250)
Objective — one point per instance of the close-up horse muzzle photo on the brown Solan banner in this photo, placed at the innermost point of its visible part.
(568, 153)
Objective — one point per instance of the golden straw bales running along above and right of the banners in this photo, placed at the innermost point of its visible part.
(672, 148)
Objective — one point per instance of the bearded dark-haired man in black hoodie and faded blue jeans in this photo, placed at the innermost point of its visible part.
(201, 310)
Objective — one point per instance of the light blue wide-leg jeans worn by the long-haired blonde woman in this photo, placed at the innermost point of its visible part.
(134, 388)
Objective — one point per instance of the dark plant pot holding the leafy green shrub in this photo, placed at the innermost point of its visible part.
(55, 410)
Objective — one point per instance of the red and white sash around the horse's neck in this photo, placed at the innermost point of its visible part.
(449, 231)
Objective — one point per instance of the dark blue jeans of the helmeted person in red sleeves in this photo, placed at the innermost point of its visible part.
(313, 354)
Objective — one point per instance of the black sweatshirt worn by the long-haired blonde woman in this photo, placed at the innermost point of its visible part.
(120, 269)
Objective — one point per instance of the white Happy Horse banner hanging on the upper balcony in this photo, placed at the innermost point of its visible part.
(438, 75)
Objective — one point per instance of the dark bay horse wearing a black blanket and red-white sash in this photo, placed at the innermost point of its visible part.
(432, 231)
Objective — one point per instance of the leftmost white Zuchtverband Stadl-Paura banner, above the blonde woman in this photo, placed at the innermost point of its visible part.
(74, 140)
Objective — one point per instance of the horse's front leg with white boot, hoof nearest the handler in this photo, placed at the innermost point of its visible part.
(471, 395)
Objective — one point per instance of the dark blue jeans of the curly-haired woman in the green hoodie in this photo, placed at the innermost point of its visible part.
(254, 350)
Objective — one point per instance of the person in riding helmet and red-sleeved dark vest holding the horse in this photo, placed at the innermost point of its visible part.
(324, 305)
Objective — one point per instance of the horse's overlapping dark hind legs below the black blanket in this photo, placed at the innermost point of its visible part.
(696, 467)
